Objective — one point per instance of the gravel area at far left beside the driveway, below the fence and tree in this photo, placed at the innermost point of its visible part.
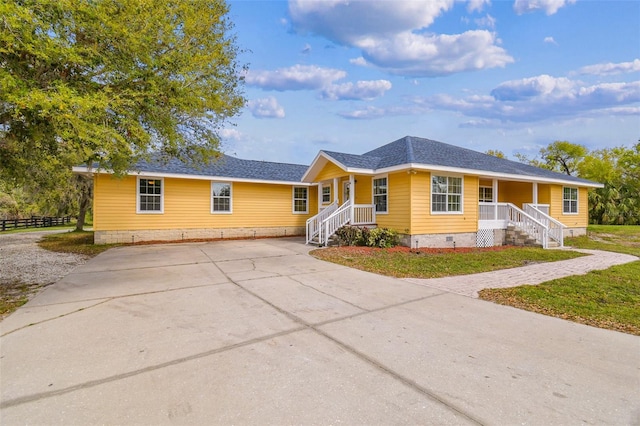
(21, 259)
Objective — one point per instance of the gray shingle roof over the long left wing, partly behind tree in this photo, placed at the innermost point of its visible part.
(229, 167)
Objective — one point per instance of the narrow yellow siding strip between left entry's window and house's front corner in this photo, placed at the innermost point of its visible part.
(398, 217)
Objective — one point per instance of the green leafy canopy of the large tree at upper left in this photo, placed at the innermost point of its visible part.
(106, 83)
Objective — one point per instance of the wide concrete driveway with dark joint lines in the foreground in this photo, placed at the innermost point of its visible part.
(258, 332)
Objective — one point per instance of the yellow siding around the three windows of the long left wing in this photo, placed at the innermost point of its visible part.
(187, 205)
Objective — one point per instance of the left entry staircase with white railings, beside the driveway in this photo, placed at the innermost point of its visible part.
(321, 227)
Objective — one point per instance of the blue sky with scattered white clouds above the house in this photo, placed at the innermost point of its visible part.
(350, 76)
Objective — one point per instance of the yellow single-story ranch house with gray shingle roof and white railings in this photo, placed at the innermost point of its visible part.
(433, 194)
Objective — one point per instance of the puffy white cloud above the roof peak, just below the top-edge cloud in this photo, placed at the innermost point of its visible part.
(422, 55)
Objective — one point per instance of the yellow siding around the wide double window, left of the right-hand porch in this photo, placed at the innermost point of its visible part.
(423, 222)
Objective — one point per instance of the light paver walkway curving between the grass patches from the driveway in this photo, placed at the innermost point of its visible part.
(469, 285)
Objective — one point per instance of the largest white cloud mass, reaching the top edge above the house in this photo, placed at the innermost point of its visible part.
(389, 35)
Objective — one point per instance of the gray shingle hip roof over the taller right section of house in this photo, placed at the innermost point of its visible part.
(414, 150)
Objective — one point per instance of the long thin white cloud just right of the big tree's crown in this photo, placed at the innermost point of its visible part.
(297, 77)
